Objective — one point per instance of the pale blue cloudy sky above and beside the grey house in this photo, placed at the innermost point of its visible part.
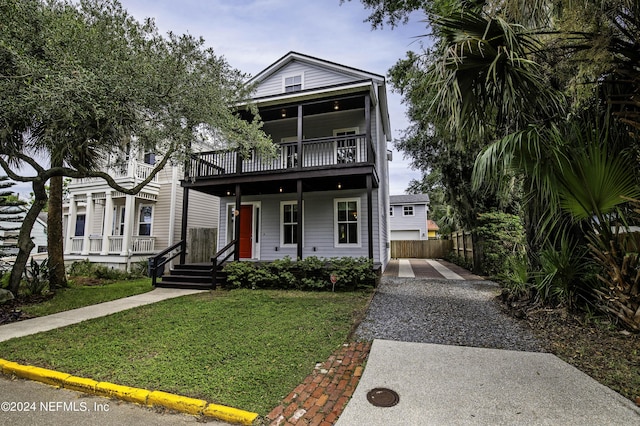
(252, 34)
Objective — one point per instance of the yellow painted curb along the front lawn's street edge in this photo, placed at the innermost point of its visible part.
(139, 396)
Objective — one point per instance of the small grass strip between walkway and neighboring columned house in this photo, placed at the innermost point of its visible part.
(77, 296)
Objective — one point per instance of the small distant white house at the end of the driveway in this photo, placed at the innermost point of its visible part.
(408, 217)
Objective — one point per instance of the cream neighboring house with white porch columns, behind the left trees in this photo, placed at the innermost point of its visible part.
(115, 229)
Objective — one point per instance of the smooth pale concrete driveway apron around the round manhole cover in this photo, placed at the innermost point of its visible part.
(457, 385)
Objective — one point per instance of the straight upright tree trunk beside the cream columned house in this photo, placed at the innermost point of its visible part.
(55, 246)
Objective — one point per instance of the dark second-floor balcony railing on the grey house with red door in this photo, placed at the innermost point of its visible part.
(342, 151)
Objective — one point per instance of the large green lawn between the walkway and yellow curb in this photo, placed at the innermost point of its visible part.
(244, 348)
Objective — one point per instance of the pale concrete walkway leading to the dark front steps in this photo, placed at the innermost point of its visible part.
(61, 319)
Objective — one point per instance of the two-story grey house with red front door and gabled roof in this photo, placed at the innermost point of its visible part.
(325, 193)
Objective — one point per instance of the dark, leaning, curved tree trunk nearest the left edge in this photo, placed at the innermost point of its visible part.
(25, 245)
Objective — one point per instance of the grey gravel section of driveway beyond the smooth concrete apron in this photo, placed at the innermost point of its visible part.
(449, 312)
